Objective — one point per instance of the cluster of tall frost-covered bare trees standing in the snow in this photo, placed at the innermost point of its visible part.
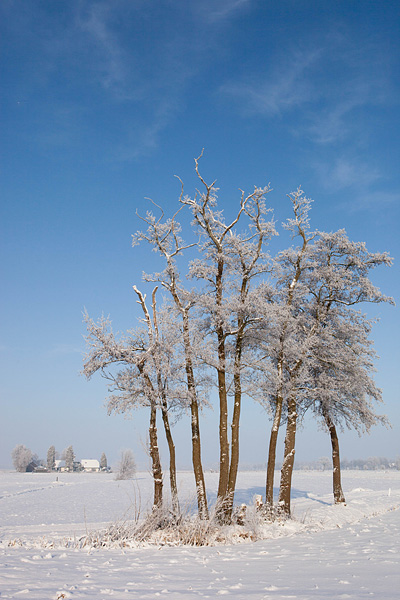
(284, 330)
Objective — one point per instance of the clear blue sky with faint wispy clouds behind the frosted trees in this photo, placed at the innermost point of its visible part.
(102, 104)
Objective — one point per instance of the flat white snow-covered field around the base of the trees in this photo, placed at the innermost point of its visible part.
(325, 551)
